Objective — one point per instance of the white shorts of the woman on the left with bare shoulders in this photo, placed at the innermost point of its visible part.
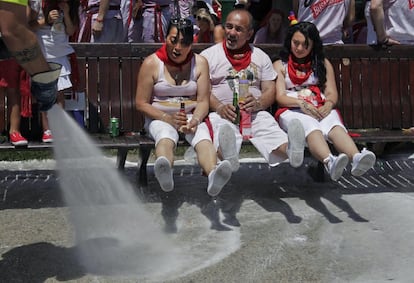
(160, 130)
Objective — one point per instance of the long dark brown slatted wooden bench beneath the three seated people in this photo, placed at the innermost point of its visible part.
(376, 91)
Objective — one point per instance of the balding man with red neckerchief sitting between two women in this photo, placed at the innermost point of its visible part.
(233, 58)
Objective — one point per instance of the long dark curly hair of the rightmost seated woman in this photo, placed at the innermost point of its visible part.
(310, 31)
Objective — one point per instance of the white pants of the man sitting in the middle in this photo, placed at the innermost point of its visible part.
(267, 135)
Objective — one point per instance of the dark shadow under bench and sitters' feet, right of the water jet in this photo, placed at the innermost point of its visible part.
(269, 186)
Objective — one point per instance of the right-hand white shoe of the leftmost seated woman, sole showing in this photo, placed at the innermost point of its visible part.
(219, 177)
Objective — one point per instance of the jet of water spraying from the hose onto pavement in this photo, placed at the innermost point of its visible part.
(114, 233)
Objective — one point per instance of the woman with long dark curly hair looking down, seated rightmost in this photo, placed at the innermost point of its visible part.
(306, 91)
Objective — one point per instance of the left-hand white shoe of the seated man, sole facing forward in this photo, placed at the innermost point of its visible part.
(227, 144)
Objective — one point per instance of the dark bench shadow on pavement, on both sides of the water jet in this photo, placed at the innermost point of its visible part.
(267, 186)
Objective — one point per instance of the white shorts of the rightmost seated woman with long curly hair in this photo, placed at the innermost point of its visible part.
(311, 124)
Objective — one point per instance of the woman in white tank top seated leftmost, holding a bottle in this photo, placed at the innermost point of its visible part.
(173, 94)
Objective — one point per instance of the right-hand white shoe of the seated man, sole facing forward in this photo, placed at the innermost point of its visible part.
(296, 143)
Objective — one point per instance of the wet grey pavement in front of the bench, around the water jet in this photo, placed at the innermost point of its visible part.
(268, 225)
